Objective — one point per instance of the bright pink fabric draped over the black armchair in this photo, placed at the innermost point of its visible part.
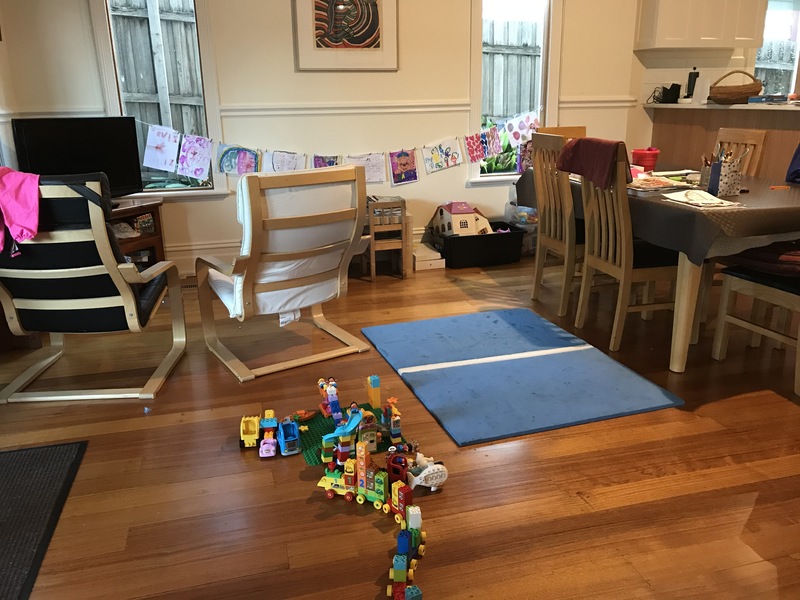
(19, 204)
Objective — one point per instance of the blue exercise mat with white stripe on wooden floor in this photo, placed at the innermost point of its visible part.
(492, 375)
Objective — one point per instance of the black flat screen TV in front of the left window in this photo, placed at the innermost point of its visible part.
(65, 146)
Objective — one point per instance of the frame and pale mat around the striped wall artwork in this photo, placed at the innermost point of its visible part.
(310, 57)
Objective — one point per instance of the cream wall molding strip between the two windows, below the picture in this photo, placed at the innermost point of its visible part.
(233, 111)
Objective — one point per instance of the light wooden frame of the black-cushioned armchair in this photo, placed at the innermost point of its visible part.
(20, 310)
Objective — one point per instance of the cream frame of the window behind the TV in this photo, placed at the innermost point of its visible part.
(108, 74)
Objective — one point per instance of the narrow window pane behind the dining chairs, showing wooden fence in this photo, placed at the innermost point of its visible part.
(511, 71)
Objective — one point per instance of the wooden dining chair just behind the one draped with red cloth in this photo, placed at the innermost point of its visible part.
(556, 232)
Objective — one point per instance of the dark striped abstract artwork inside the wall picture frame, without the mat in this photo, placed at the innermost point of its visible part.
(347, 24)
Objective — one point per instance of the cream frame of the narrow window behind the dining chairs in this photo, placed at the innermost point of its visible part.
(551, 75)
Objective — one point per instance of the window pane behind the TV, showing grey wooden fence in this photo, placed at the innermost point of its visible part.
(157, 75)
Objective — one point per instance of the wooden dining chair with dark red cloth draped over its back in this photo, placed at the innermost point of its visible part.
(610, 247)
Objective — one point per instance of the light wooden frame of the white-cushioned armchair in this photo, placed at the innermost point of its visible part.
(260, 226)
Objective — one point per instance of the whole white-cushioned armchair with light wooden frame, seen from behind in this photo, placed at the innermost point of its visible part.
(300, 230)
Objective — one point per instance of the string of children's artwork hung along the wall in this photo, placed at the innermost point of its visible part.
(193, 155)
